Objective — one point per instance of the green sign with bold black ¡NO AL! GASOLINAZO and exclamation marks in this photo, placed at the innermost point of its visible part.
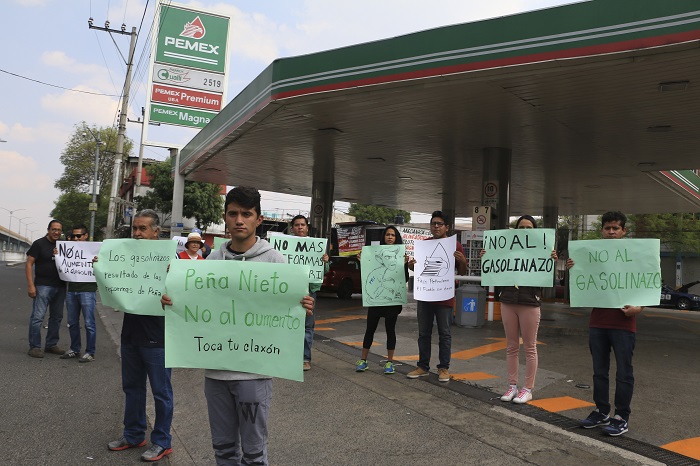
(518, 257)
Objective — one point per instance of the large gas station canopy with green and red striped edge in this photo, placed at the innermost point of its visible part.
(597, 102)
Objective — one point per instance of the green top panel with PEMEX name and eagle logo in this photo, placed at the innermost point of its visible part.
(192, 38)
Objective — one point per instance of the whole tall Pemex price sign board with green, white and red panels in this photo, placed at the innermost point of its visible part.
(188, 71)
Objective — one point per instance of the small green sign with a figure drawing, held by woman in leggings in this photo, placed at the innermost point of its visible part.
(383, 275)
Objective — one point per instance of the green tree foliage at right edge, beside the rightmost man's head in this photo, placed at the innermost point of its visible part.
(679, 232)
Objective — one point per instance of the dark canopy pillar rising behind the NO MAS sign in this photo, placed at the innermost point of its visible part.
(323, 184)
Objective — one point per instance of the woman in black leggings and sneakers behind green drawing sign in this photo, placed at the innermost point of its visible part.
(390, 313)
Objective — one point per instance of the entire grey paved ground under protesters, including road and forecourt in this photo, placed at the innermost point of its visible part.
(60, 412)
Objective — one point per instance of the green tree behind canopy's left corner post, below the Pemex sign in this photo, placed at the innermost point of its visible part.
(202, 201)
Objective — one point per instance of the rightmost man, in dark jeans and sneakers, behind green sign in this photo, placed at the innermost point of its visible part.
(611, 329)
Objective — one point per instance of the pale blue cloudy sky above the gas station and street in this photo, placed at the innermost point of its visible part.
(55, 73)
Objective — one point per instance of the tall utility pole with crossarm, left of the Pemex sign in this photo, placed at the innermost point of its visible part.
(116, 177)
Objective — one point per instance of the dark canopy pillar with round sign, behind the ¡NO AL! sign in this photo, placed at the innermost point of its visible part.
(496, 184)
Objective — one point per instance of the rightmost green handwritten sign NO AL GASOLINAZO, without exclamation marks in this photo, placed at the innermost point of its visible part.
(614, 273)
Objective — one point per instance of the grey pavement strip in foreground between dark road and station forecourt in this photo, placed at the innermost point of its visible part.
(340, 417)
